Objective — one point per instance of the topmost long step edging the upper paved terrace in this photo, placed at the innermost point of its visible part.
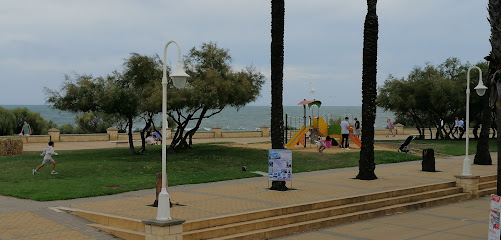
(280, 211)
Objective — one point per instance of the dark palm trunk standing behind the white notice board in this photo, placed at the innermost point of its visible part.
(277, 75)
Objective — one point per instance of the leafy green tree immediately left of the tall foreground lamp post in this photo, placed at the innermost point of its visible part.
(122, 96)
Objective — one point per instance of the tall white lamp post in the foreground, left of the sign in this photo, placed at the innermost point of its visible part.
(179, 79)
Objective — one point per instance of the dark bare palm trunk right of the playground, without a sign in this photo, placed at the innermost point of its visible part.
(369, 93)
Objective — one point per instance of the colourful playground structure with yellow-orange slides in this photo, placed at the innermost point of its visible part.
(317, 127)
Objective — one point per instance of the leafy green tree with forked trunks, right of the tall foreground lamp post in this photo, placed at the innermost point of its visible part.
(212, 86)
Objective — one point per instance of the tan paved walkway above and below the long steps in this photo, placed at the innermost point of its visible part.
(26, 219)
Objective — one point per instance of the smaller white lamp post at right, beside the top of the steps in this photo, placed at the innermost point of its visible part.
(480, 88)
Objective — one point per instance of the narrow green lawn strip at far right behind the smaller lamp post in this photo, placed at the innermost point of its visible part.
(448, 147)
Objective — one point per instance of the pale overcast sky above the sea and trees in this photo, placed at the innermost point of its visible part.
(42, 41)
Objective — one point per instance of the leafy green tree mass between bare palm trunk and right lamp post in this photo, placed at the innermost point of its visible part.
(432, 96)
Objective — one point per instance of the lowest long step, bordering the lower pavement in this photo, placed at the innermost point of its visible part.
(284, 230)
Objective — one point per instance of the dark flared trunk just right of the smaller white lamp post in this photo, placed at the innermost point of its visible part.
(483, 156)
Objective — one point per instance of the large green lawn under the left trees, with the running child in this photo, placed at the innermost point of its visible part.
(85, 173)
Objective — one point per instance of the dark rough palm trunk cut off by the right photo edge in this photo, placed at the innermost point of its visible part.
(495, 70)
